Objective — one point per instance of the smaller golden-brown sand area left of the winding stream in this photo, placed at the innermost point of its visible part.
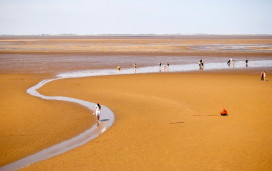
(29, 124)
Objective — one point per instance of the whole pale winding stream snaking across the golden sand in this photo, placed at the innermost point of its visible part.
(107, 117)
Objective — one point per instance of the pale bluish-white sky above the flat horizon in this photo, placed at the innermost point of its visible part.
(34, 17)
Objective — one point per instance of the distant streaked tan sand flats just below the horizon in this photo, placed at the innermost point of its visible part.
(150, 45)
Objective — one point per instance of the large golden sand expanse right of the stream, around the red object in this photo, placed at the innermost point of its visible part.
(172, 121)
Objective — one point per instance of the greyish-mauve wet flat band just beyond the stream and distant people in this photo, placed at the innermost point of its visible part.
(20, 63)
